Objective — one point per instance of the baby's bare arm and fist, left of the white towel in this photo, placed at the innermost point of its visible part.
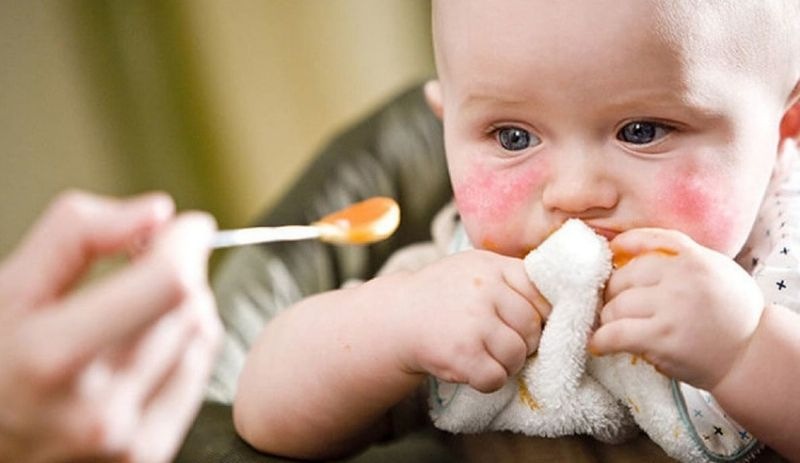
(323, 374)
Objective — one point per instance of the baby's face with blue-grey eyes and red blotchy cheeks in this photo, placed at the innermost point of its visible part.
(601, 110)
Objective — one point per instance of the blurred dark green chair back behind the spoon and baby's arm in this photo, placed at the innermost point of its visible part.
(397, 151)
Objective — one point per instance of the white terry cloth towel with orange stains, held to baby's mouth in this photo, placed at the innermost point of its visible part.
(562, 390)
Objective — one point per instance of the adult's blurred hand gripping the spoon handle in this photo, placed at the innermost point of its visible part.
(113, 370)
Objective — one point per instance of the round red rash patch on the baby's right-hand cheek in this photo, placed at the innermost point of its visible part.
(701, 203)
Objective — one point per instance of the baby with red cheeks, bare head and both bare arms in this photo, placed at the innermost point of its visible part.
(660, 124)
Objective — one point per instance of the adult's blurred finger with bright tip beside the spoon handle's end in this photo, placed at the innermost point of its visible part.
(117, 309)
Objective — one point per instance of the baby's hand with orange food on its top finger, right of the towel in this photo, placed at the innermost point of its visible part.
(688, 310)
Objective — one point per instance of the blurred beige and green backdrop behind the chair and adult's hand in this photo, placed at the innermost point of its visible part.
(218, 102)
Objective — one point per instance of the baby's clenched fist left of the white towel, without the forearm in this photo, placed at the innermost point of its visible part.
(472, 317)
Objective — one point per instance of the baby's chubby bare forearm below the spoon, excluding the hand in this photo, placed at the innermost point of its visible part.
(322, 376)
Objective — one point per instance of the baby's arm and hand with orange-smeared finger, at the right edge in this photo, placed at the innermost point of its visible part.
(700, 318)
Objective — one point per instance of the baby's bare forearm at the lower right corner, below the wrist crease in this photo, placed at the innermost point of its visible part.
(761, 391)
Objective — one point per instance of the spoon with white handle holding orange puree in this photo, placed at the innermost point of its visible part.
(361, 223)
